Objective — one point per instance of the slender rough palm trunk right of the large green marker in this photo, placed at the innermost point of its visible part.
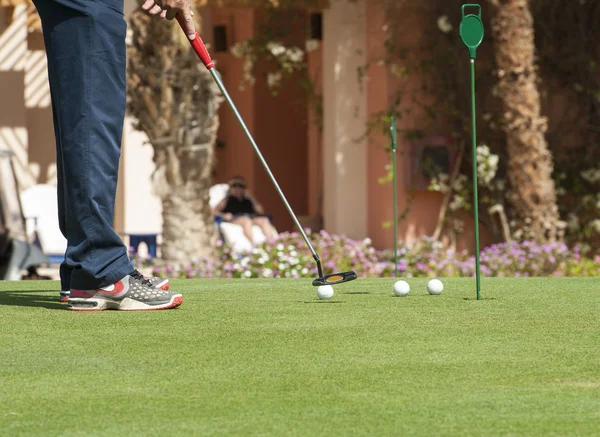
(530, 163)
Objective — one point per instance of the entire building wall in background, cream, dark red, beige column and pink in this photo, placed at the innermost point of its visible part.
(334, 175)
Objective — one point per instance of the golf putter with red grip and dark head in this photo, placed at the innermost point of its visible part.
(202, 52)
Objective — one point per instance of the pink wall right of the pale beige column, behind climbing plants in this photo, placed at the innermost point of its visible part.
(424, 211)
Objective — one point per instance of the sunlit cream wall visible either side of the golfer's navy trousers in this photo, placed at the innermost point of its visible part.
(26, 127)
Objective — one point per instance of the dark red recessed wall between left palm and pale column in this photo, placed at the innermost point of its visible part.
(278, 124)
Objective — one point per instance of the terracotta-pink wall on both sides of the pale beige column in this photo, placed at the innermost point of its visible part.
(291, 145)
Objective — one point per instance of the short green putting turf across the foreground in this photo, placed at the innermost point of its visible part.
(265, 357)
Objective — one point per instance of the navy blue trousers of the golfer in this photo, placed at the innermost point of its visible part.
(85, 45)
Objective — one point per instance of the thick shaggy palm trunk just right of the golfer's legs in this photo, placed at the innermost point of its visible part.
(175, 102)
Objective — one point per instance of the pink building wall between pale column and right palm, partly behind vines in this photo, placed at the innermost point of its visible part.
(382, 87)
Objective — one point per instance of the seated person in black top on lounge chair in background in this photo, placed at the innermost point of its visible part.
(241, 208)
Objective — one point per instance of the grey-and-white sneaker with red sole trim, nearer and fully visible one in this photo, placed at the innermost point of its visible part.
(131, 293)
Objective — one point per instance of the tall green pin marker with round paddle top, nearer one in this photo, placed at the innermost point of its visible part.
(471, 34)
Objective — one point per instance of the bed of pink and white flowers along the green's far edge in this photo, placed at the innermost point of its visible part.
(288, 257)
